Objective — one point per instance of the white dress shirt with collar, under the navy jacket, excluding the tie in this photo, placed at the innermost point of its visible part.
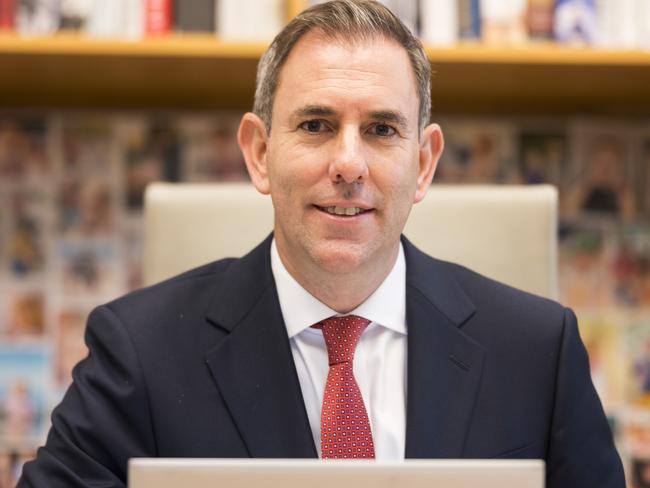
(379, 360)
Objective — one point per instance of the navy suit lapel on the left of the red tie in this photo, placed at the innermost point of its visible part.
(253, 366)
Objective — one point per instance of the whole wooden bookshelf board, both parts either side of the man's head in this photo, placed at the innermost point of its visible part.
(204, 73)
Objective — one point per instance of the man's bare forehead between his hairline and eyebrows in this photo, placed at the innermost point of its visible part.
(320, 66)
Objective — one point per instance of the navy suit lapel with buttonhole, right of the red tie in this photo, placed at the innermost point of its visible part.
(444, 364)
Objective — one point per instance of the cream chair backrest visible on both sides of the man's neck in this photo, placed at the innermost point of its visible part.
(508, 233)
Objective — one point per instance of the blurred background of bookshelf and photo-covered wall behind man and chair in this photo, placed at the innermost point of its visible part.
(98, 98)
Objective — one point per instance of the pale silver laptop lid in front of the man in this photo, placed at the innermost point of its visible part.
(314, 473)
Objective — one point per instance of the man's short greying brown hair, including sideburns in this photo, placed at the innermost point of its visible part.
(347, 20)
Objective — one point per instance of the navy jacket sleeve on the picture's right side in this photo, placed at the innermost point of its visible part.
(581, 449)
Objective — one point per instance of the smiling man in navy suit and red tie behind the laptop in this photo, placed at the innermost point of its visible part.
(223, 361)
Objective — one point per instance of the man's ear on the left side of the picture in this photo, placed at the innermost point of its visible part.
(252, 139)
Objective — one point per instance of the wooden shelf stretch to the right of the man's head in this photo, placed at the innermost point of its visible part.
(541, 80)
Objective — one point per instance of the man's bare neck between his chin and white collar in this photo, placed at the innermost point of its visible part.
(342, 292)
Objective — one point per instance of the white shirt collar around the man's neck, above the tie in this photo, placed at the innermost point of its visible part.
(386, 306)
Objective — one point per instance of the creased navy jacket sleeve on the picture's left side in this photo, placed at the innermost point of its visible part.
(103, 419)
